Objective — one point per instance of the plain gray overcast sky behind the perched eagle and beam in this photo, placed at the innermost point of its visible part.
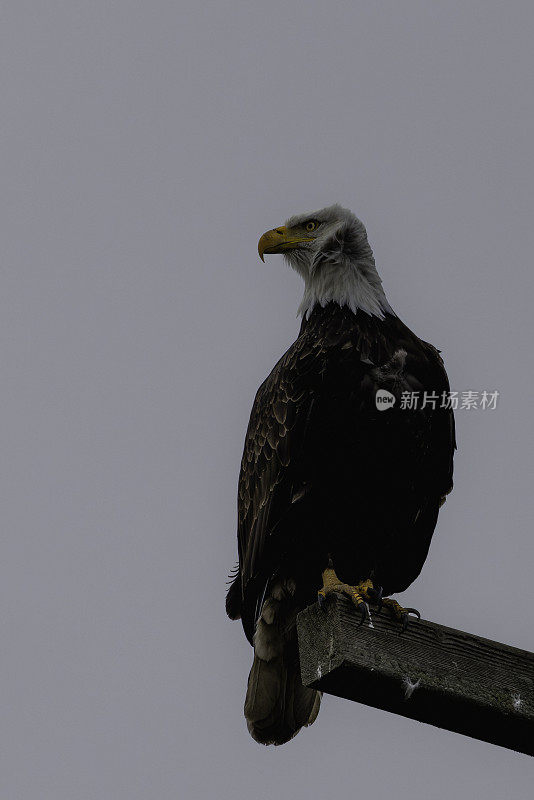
(146, 146)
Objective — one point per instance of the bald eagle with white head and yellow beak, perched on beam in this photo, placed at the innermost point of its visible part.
(335, 494)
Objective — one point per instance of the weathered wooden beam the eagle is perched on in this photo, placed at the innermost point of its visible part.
(430, 673)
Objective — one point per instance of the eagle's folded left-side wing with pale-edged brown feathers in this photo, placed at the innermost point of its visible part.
(273, 469)
